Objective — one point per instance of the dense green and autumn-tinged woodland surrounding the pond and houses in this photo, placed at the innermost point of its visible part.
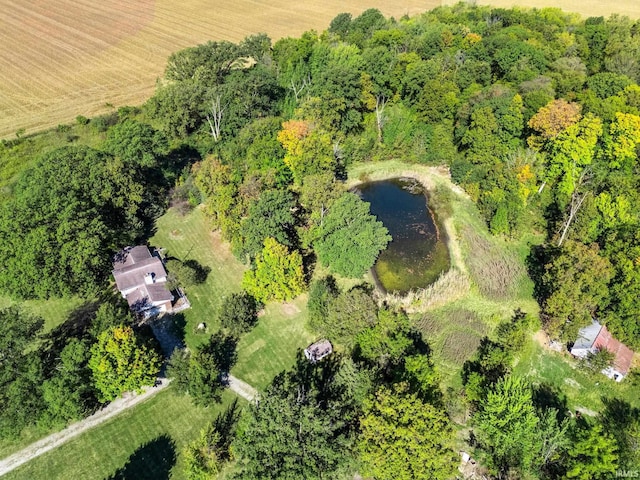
(536, 114)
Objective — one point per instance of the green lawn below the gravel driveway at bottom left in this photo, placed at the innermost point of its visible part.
(150, 437)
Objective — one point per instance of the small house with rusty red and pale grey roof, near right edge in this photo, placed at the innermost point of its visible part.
(596, 337)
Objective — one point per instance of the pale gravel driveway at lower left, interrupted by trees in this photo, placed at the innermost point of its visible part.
(116, 407)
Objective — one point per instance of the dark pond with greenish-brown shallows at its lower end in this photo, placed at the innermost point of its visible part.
(418, 254)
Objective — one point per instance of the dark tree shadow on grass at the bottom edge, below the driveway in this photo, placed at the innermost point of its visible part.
(153, 460)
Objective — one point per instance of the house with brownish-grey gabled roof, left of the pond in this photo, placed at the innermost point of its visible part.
(142, 280)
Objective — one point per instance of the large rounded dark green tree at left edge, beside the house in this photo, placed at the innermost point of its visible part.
(68, 213)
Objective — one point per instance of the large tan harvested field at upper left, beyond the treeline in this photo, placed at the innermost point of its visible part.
(63, 58)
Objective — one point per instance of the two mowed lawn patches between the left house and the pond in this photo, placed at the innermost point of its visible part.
(281, 330)
